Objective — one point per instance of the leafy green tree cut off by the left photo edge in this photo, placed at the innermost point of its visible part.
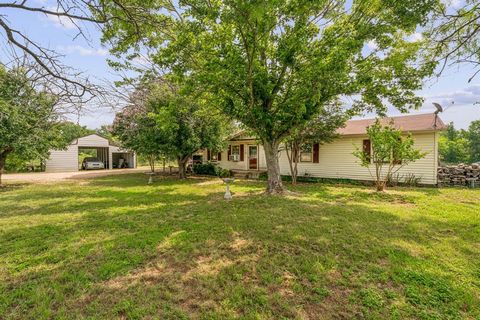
(28, 122)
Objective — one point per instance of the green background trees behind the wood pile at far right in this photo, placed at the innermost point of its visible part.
(460, 146)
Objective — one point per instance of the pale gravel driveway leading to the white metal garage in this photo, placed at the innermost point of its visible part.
(58, 176)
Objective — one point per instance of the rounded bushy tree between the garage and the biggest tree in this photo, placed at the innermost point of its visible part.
(164, 120)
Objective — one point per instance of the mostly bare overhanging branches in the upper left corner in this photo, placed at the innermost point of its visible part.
(72, 86)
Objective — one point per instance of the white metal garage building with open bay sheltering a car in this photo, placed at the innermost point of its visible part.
(107, 152)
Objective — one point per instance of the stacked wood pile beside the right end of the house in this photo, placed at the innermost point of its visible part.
(458, 175)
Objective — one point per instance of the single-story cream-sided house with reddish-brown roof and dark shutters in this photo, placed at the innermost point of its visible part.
(336, 159)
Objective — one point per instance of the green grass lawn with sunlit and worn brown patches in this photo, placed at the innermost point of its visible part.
(115, 247)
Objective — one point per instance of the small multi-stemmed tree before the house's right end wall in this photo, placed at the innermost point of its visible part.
(390, 151)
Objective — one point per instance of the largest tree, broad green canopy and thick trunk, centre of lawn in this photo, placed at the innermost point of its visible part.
(274, 65)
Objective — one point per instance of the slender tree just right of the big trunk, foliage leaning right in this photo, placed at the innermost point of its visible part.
(320, 130)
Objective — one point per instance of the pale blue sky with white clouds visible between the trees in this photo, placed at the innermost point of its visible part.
(451, 89)
